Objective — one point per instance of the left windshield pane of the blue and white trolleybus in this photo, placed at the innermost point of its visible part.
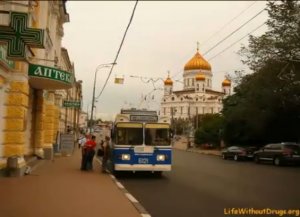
(129, 134)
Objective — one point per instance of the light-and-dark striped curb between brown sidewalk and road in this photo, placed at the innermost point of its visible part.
(129, 196)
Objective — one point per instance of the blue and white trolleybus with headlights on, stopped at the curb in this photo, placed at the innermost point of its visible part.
(141, 142)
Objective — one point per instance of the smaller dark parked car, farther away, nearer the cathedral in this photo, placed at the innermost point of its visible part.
(238, 153)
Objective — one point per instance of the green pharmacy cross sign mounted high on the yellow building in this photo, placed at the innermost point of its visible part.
(17, 36)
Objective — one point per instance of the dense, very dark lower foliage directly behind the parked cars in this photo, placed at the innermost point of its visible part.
(265, 106)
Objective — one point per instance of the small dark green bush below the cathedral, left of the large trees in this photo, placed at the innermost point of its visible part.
(210, 130)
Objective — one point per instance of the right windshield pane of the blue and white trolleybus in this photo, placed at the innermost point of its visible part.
(157, 135)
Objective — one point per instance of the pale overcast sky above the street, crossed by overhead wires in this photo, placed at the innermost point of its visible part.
(162, 37)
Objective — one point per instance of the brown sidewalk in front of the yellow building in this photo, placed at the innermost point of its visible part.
(59, 189)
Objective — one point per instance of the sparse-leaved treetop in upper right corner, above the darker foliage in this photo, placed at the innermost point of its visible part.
(282, 40)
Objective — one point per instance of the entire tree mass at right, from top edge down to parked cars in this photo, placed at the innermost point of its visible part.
(265, 106)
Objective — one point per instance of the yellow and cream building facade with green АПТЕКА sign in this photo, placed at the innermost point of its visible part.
(33, 87)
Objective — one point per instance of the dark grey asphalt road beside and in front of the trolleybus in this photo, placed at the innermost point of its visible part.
(202, 185)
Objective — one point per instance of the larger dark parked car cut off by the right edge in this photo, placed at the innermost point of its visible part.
(279, 153)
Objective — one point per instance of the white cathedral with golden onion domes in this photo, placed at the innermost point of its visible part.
(197, 96)
